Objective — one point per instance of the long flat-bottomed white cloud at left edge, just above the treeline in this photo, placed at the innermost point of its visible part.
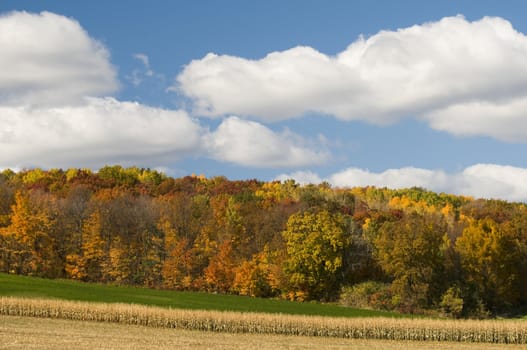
(98, 132)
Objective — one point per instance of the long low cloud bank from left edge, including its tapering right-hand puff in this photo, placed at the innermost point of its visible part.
(104, 130)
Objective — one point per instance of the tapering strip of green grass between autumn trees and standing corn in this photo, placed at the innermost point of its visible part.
(31, 287)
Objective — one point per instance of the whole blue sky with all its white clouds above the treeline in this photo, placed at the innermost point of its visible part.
(387, 93)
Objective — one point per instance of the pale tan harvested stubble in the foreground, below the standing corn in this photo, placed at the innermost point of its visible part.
(35, 333)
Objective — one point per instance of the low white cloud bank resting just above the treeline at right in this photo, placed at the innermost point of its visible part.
(479, 181)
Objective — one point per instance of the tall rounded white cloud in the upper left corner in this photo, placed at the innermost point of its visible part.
(49, 59)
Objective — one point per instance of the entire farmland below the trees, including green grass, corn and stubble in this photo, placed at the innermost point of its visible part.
(230, 321)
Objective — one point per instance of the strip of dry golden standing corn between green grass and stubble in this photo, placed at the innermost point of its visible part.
(489, 331)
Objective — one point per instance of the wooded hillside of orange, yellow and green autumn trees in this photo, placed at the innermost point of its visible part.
(410, 250)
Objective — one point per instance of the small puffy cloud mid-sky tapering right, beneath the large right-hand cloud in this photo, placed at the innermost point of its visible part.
(252, 144)
